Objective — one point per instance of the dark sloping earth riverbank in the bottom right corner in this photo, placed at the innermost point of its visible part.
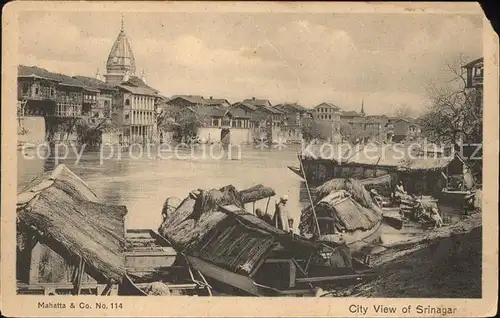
(446, 263)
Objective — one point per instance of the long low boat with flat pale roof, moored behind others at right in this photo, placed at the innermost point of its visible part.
(420, 173)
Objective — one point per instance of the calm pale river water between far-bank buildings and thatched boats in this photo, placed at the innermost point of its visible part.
(142, 179)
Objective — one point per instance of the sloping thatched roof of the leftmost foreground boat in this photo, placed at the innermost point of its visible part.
(60, 208)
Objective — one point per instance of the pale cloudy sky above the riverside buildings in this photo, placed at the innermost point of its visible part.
(386, 60)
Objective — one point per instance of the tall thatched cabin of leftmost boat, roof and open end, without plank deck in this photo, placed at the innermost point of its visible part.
(68, 241)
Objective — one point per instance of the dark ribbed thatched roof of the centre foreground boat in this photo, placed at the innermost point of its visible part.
(217, 229)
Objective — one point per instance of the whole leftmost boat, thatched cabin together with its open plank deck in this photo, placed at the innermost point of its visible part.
(68, 242)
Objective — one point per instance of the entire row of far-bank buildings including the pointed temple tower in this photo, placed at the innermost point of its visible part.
(119, 93)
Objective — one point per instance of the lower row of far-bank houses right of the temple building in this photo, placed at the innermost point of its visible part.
(253, 119)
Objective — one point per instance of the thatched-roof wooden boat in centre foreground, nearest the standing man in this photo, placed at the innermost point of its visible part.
(240, 254)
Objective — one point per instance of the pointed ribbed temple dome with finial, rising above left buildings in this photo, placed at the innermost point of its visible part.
(120, 60)
